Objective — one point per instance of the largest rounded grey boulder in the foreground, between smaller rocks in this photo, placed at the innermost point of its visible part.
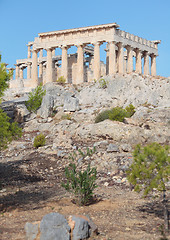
(54, 227)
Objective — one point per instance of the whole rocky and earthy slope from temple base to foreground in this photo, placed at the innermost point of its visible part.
(31, 178)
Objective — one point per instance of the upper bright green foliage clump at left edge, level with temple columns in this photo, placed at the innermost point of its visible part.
(4, 77)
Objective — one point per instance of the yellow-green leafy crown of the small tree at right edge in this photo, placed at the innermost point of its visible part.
(150, 168)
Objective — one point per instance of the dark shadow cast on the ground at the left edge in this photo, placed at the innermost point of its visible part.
(28, 183)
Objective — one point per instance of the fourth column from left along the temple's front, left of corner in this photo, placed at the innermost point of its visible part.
(80, 65)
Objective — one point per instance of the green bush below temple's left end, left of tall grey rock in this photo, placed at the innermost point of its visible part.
(35, 99)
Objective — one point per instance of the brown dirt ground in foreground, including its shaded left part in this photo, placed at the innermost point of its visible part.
(32, 188)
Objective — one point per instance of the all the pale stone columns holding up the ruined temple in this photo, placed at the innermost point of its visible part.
(116, 62)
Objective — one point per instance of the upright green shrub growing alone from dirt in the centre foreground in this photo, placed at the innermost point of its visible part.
(80, 183)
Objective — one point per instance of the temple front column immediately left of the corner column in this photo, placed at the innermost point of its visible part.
(96, 60)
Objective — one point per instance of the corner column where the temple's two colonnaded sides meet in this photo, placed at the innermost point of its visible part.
(112, 58)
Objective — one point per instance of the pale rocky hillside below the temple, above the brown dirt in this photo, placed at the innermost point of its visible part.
(67, 119)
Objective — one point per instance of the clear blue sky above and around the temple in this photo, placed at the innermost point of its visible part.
(21, 21)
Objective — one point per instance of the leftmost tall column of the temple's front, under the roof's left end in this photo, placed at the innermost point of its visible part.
(34, 73)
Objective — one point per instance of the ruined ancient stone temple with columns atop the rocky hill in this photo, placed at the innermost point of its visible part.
(124, 54)
